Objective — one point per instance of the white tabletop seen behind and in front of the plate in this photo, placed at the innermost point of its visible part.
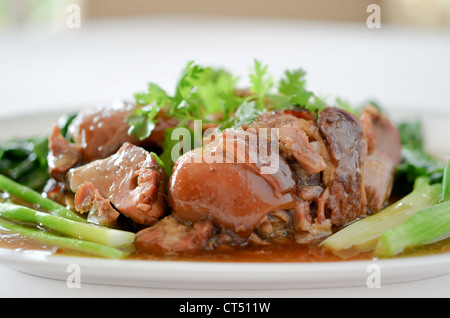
(112, 59)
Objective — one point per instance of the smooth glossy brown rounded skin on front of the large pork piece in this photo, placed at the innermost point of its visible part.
(200, 190)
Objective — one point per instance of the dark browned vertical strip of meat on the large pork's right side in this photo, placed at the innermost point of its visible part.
(345, 196)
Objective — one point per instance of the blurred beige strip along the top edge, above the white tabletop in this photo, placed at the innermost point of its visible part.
(423, 13)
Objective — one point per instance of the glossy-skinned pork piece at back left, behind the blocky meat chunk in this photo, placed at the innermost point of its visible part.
(98, 133)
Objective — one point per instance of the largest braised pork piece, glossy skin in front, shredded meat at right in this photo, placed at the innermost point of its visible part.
(332, 172)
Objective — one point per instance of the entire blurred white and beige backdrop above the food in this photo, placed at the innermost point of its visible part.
(61, 54)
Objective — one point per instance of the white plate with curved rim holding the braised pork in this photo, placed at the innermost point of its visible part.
(205, 275)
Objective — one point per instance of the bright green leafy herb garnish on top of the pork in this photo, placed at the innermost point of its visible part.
(210, 94)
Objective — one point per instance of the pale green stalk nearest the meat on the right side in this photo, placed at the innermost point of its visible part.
(363, 235)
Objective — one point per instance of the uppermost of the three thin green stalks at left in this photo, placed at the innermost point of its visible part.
(31, 196)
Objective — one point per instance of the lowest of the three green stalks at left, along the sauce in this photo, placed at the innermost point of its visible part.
(64, 242)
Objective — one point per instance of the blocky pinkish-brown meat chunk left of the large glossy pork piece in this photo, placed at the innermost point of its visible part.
(130, 182)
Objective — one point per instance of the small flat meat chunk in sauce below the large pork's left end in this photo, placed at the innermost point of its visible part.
(170, 235)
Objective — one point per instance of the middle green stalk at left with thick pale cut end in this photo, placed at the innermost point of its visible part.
(79, 230)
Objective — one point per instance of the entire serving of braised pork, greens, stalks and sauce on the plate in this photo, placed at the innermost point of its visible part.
(268, 172)
